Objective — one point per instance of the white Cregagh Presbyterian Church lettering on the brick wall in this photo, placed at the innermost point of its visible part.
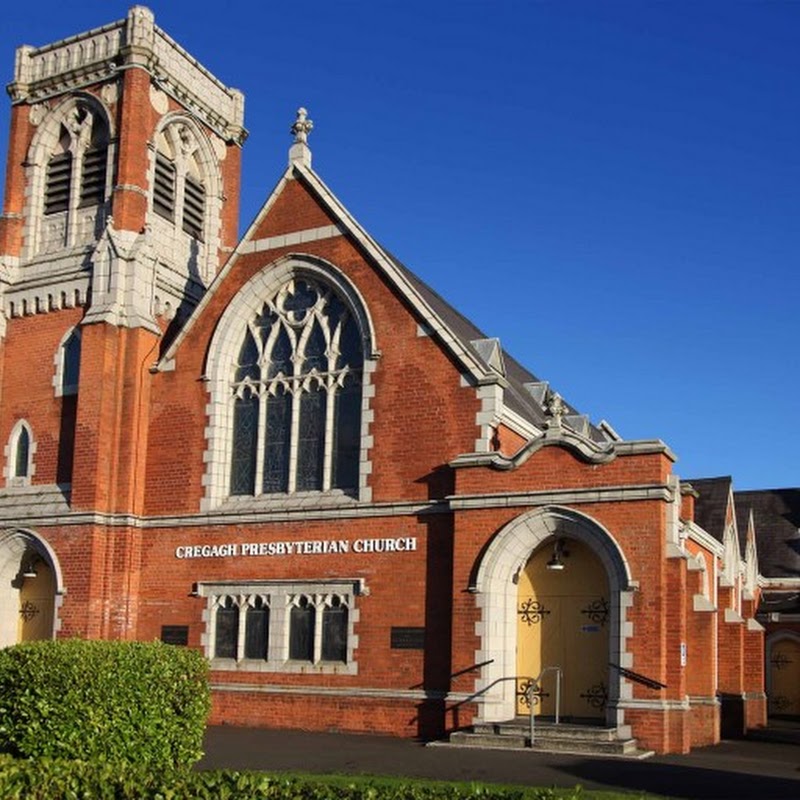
(311, 547)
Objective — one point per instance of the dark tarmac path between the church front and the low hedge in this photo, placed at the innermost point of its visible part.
(741, 770)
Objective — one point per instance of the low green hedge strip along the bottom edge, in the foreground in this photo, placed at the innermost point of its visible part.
(68, 780)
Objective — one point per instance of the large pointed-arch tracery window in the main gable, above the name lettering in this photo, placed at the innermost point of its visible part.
(297, 395)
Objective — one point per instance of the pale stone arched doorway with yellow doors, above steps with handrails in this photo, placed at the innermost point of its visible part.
(512, 572)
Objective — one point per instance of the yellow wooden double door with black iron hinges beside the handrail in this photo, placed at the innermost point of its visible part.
(562, 621)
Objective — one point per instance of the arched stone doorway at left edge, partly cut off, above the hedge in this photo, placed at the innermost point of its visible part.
(30, 585)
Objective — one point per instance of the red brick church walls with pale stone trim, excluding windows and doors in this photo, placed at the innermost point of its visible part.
(127, 492)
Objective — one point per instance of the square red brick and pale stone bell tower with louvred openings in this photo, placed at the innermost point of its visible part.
(121, 204)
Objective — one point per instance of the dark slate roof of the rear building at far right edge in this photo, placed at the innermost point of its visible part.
(776, 514)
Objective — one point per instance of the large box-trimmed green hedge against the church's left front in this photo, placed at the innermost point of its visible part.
(116, 702)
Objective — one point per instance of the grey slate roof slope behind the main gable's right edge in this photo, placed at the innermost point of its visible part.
(516, 397)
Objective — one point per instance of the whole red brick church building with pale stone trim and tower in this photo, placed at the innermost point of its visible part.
(287, 451)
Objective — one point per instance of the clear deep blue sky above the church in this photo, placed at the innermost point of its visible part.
(612, 189)
